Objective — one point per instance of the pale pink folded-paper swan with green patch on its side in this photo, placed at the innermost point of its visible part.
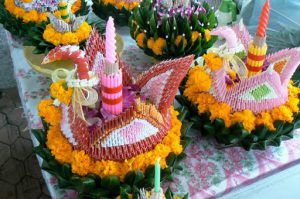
(263, 91)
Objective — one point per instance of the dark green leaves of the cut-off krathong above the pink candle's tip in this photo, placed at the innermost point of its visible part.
(104, 11)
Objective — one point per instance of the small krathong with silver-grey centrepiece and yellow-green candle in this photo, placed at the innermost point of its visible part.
(63, 29)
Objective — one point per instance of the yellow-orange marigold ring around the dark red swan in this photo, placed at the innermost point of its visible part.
(82, 164)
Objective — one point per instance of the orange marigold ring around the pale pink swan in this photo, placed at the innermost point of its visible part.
(199, 82)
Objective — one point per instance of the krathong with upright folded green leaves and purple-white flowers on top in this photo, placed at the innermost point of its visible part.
(169, 28)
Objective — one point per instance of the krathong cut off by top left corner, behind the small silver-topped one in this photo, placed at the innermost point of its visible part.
(19, 16)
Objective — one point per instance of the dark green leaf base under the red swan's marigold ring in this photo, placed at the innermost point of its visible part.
(93, 186)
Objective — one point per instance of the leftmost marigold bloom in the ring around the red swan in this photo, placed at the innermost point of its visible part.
(49, 112)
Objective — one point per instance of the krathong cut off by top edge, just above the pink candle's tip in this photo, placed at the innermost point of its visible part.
(119, 9)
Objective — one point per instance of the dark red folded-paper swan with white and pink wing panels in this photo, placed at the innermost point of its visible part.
(143, 123)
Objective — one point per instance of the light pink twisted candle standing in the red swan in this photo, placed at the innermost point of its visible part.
(110, 43)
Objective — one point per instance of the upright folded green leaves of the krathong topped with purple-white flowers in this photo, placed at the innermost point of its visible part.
(145, 20)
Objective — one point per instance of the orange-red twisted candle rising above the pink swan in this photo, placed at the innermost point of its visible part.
(264, 20)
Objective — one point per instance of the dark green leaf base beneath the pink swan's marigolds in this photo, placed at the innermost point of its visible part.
(237, 135)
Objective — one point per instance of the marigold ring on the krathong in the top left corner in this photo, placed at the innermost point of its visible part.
(33, 15)
